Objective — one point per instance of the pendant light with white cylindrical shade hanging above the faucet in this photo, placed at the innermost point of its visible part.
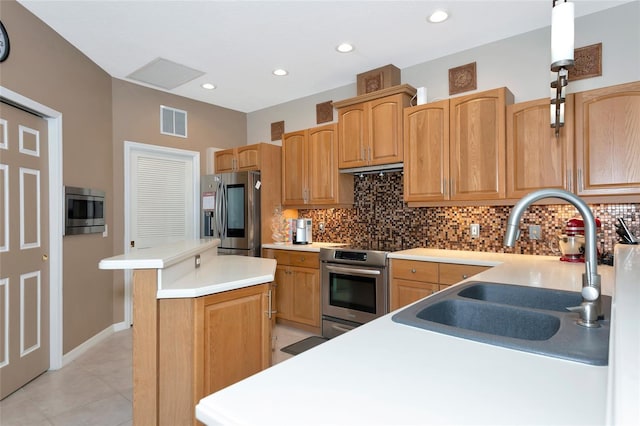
(562, 48)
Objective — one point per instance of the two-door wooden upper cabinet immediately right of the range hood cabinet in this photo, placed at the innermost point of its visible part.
(455, 148)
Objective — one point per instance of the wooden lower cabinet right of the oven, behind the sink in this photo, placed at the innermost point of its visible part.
(412, 280)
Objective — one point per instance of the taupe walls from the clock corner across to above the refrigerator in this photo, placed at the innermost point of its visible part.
(99, 113)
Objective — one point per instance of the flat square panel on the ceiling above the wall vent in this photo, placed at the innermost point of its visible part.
(165, 74)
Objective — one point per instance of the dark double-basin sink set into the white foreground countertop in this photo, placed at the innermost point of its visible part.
(523, 318)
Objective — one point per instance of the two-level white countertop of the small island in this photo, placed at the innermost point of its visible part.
(178, 276)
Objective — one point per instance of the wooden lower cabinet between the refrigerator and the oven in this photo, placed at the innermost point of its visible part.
(297, 283)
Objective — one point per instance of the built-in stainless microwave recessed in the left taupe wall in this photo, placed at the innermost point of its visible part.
(84, 210)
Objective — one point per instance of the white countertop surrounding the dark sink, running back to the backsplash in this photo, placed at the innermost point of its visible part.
(388, 373)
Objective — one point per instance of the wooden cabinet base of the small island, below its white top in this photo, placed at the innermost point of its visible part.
(185, 349)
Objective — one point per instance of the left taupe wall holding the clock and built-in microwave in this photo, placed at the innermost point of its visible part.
(44, 67)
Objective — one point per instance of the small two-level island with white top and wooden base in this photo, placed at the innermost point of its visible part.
(200, 322)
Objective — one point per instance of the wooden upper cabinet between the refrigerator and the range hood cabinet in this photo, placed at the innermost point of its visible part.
(310, 174)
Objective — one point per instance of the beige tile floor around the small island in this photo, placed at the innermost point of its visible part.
(96, 388)
